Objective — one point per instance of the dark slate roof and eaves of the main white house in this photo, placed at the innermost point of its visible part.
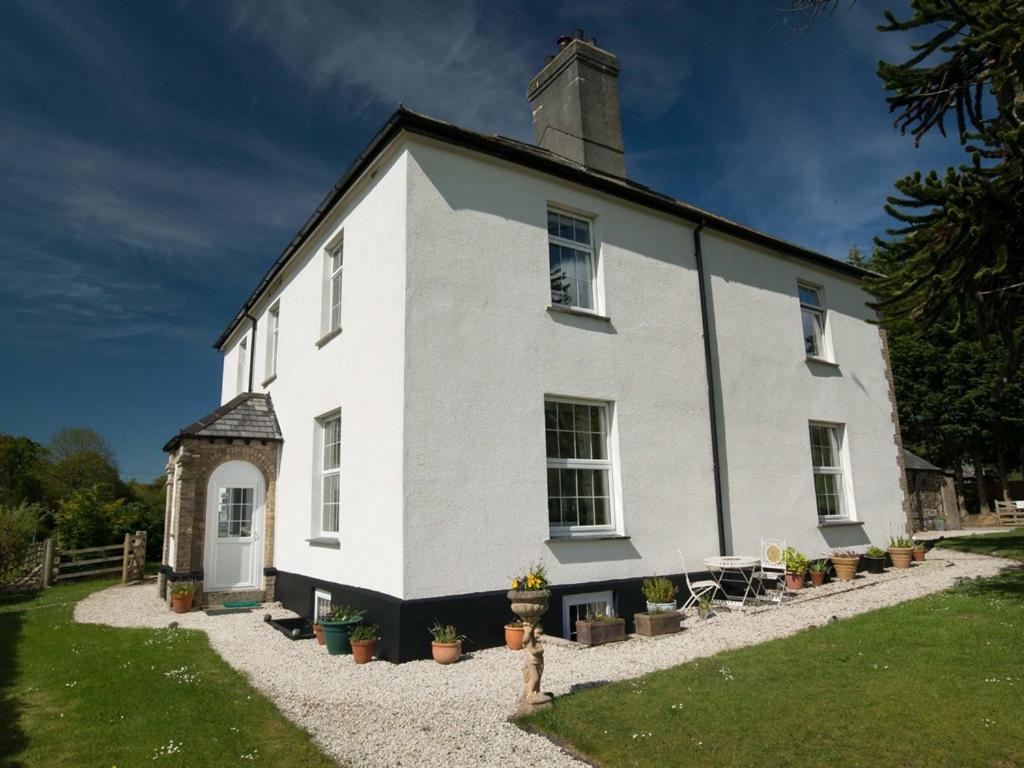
(539, 159)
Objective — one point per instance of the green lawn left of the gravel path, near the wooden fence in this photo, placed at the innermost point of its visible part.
(76, 695)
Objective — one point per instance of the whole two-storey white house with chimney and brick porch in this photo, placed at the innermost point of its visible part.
(482, 354)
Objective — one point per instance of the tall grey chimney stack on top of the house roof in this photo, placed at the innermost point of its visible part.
(576, 106)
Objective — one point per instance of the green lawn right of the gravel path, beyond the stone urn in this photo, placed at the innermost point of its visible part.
(935, 682)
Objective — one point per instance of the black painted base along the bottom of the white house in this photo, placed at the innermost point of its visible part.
(481, 617)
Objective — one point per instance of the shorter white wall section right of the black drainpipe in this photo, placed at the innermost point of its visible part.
(771, 393)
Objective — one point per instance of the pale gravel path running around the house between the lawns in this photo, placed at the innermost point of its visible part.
(421, 713)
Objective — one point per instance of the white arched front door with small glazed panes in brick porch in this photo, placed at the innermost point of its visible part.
(234, 526)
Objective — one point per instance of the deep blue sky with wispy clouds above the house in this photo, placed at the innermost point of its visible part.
(155, 158)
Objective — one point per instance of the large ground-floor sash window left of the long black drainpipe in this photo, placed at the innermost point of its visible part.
(579, 466)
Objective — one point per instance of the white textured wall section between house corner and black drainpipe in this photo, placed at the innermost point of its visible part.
(483, 352)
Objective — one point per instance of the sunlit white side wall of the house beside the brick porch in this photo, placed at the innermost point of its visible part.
(361, 371)
